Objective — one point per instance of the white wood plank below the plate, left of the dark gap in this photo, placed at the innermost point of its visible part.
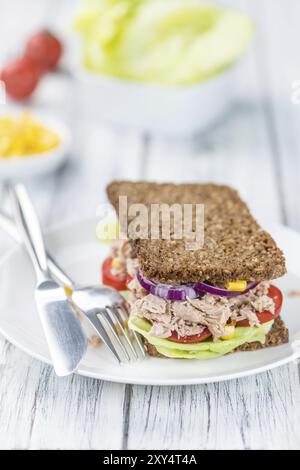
(41, 411)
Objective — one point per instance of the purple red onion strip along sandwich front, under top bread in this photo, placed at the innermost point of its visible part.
(184, 291)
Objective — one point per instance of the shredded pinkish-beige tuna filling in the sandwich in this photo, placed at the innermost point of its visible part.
(192, 316)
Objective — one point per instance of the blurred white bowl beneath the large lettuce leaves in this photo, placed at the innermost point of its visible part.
(175, 110)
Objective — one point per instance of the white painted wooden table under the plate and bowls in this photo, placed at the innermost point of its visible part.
(256, 148)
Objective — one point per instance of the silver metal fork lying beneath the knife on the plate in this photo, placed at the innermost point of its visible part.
(104, 307)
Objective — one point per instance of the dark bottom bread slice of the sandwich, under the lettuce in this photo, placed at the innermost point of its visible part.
(279, 334)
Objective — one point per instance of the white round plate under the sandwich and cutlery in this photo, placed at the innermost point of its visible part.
(75, 246)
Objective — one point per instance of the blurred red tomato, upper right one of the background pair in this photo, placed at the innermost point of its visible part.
(45, 49)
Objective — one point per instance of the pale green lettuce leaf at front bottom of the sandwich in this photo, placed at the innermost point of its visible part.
(207, 349)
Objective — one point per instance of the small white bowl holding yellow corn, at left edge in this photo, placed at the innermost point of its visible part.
(19, 168)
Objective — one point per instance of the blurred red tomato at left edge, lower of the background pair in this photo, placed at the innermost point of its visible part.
(20, 78)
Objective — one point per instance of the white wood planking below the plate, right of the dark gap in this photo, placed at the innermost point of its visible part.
(254, 413)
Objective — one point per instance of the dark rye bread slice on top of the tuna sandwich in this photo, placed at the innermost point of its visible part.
(235, 246)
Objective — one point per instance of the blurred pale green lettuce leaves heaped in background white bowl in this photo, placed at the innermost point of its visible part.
(168, 42)
